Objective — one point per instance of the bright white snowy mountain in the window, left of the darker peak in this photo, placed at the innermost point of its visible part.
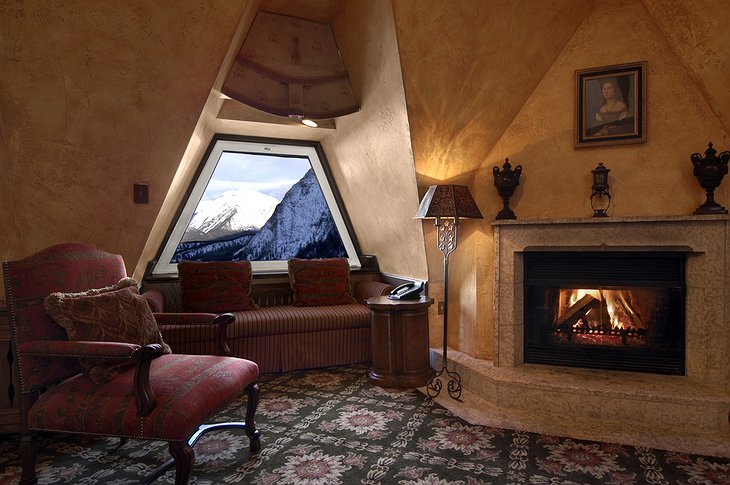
(233, 212)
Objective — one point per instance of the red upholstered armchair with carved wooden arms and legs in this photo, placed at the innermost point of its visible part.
(156, 396)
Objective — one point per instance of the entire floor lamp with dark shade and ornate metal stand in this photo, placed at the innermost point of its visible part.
(447, 204)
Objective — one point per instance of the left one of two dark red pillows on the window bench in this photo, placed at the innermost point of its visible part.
(216, 287)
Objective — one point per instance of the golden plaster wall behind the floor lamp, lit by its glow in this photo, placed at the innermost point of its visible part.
(468, 67)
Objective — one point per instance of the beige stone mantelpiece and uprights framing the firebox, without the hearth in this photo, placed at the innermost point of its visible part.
(705, 238)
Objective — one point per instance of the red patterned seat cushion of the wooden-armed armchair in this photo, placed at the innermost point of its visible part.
(189, 389)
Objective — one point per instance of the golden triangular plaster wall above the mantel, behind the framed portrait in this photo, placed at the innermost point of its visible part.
(653, 178)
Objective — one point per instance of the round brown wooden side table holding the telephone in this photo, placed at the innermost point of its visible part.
(400, 342)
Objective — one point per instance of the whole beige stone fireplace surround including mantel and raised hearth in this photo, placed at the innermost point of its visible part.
(631, 407)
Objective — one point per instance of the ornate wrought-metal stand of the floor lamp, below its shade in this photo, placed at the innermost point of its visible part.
(447, 236)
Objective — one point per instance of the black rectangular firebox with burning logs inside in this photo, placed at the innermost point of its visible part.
(617, 310)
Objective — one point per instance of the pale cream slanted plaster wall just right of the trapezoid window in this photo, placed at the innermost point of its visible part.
(370, 152)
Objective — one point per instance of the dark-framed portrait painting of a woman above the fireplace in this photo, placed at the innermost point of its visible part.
(610, 105)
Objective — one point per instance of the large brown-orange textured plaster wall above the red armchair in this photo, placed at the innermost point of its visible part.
(95, 96)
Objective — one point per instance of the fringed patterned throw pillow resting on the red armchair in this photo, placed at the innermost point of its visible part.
(113, 314)
